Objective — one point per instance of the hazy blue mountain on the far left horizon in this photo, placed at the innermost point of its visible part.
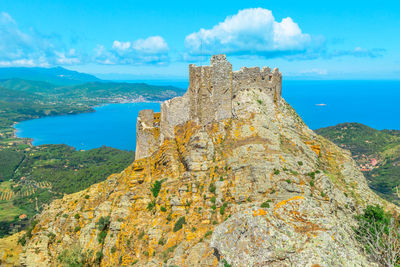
(58, 75)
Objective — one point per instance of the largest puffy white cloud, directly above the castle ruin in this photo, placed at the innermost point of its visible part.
(250, 31)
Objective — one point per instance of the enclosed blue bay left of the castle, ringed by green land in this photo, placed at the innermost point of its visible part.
(111, 125)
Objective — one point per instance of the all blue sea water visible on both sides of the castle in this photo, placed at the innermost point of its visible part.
(319, 103)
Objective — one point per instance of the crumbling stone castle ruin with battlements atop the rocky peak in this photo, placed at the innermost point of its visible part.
(212, 89)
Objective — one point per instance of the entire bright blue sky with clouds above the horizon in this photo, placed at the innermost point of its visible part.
(158, 39)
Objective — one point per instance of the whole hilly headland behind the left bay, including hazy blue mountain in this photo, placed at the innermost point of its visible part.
(27, 93)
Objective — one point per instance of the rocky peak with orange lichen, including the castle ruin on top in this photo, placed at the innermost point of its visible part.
(227, 175)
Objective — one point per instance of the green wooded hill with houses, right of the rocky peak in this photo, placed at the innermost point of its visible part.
(377, 154)
